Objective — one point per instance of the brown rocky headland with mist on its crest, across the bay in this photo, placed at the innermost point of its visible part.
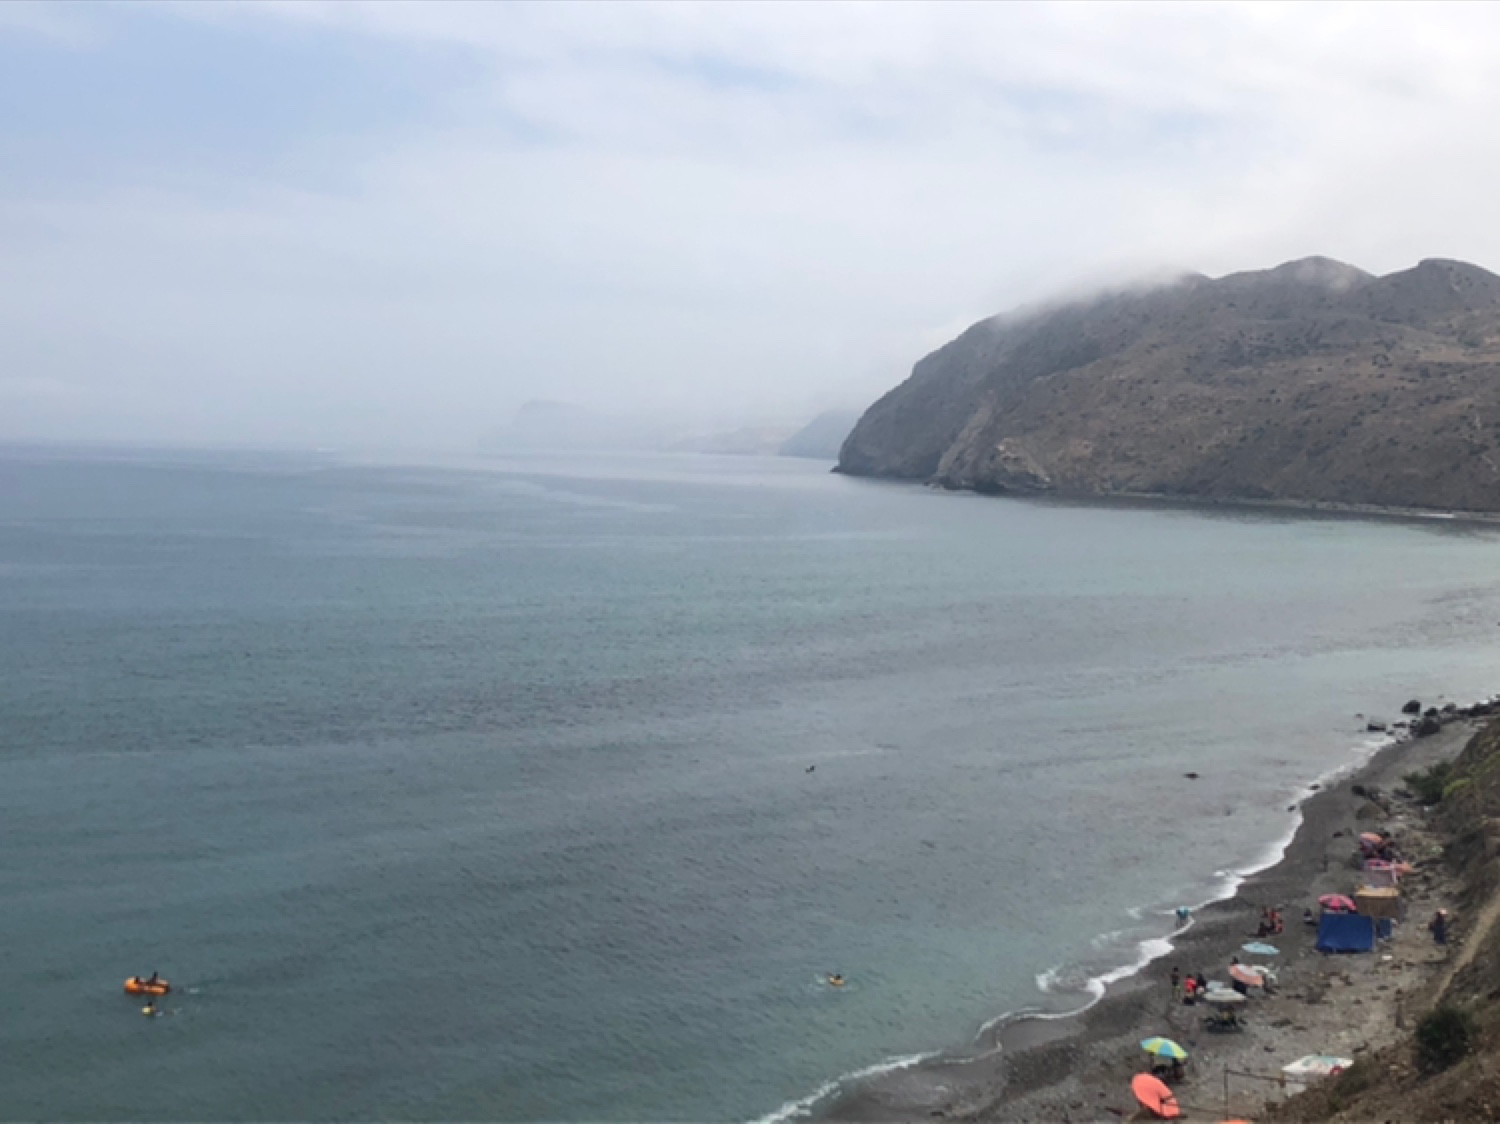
(1310, 382)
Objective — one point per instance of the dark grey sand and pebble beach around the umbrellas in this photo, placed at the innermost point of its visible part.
(1079, 1068)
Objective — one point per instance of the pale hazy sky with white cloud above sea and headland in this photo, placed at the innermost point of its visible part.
(383, 224)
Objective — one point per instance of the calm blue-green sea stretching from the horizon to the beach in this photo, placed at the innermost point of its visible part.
(556, 787)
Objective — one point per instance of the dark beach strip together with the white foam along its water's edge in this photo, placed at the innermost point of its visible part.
(1076, 1065)
